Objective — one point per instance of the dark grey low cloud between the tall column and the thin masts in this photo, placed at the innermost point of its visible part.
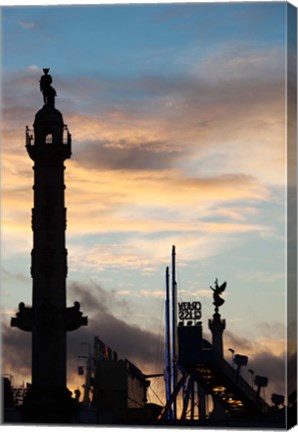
(129, 341)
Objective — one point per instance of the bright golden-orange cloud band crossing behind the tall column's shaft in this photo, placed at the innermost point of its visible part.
(136, 201)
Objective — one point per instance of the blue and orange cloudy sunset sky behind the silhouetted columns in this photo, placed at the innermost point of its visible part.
(177, 114)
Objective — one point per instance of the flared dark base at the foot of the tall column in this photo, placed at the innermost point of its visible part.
(49, 405)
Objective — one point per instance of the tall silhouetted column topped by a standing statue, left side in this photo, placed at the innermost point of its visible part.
(49, 319)
